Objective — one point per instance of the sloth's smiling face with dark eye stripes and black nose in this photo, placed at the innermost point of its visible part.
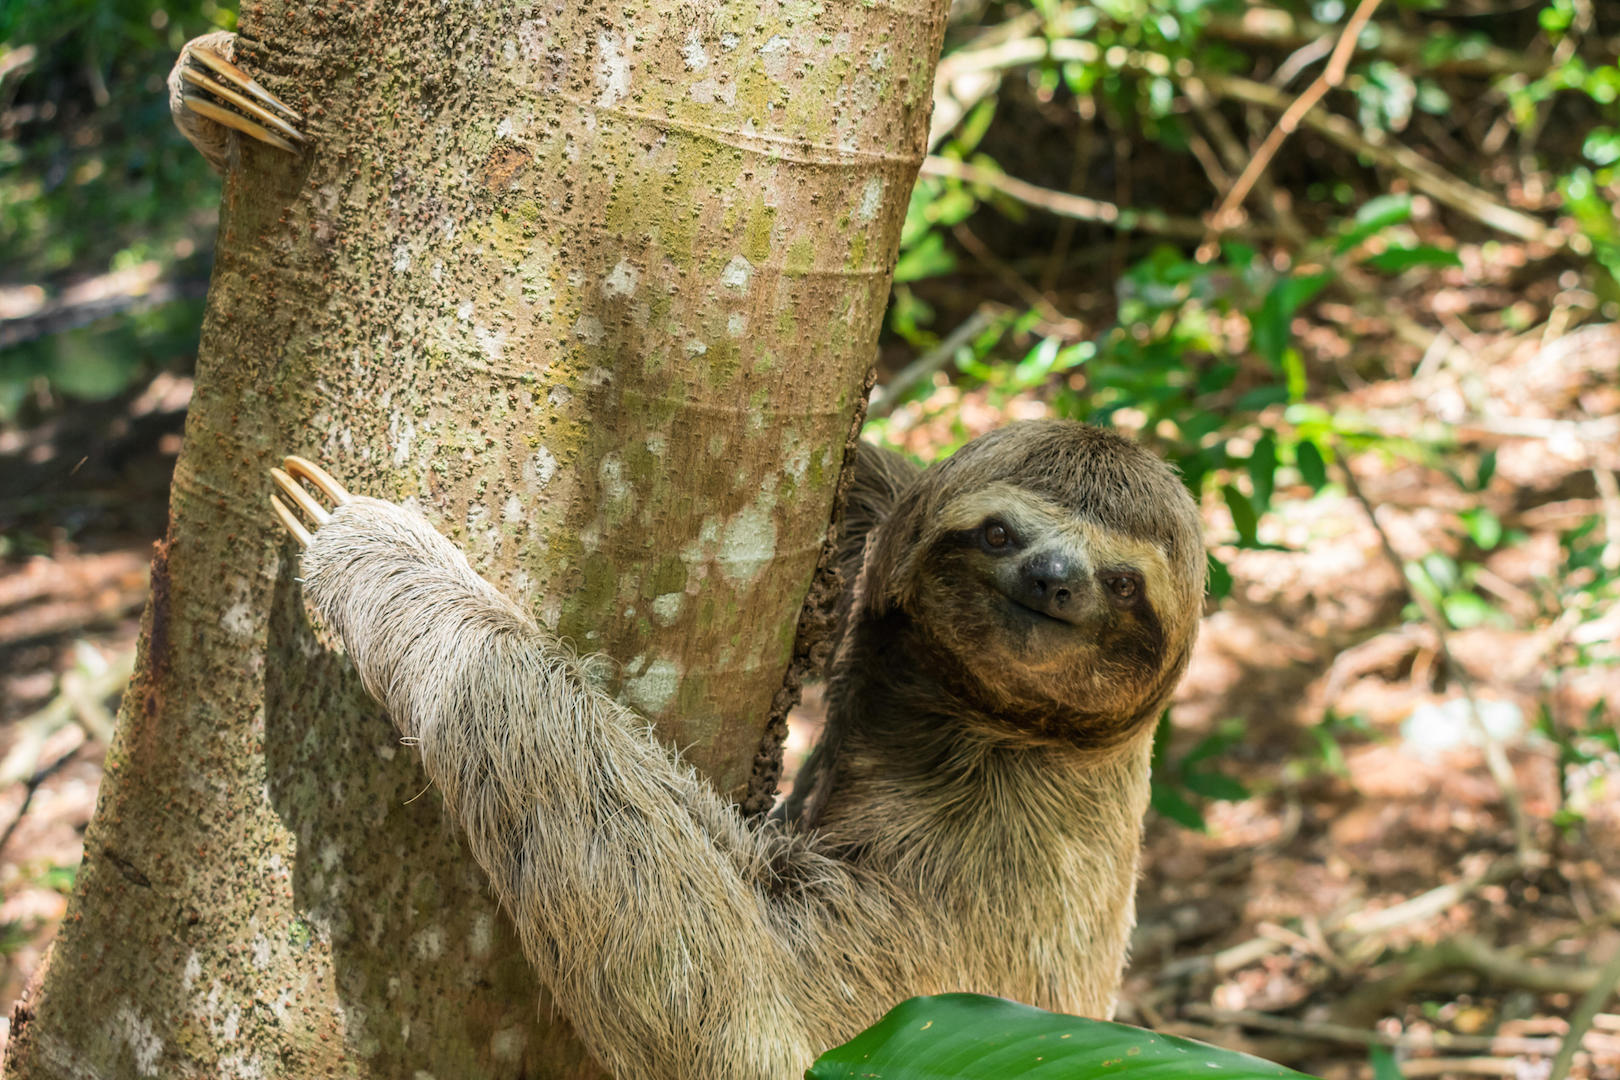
(1057, 624)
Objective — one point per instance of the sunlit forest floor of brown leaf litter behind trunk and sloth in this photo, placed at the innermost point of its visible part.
(1371, 883)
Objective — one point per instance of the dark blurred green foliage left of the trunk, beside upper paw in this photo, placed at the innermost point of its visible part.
(98, 192)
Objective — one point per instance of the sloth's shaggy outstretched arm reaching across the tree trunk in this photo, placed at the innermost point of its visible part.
(678, 940)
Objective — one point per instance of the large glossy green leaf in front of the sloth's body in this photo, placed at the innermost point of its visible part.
(970, 1037)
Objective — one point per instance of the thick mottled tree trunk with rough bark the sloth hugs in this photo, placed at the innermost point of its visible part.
(597, 286)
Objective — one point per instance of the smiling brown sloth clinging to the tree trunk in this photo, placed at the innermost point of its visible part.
(1017, 621)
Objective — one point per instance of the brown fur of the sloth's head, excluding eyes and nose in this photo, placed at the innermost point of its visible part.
(1088, 496)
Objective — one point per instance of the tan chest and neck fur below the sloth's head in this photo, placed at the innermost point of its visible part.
(1025, 864)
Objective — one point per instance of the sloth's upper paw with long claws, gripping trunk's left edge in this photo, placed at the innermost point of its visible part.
(210, 96)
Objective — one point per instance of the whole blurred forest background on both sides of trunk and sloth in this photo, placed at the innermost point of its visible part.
(1386, 833)
